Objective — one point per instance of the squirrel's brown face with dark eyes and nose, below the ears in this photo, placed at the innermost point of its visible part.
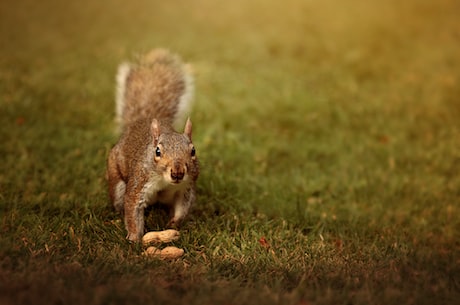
(175, 156)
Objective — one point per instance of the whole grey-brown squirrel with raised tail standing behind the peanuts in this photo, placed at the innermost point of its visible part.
(152, 162)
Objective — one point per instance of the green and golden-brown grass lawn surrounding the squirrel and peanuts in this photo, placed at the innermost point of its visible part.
(330, 129)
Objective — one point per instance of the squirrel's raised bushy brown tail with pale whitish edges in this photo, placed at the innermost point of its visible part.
(158, 86)
